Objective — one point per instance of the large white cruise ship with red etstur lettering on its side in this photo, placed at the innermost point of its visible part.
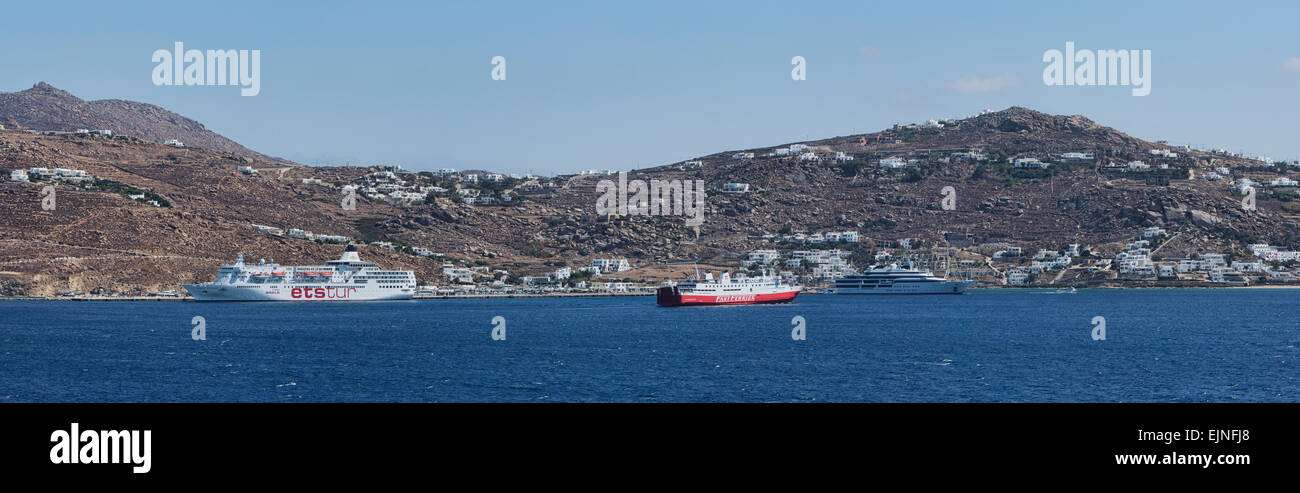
(348, 279)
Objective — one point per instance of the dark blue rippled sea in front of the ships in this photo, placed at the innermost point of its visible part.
(989, 345)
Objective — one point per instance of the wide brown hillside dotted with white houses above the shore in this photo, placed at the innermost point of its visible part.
(1039, 201)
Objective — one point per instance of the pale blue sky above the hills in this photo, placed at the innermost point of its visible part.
(626, 85)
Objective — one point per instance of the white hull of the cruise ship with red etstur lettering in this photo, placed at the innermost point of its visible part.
(292, 293)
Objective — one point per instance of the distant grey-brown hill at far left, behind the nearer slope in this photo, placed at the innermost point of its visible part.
(45, 107)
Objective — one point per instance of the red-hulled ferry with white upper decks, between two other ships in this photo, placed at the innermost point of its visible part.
(726, 291)
